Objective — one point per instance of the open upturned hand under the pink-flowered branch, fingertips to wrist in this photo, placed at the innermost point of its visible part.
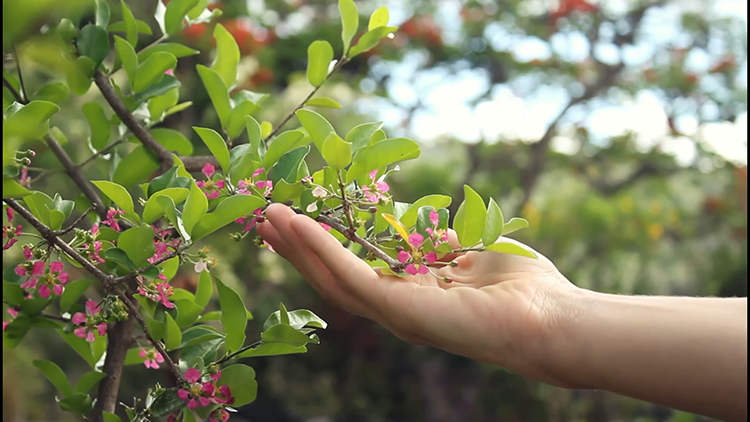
(500, 309)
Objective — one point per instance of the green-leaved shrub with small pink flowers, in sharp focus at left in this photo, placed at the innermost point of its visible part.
(134, 249)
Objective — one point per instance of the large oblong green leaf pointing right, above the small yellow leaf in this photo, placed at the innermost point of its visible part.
(380, 155)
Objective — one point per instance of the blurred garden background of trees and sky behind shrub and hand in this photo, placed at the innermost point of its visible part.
(617, 128)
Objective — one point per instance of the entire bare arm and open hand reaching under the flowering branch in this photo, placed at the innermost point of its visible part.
(524, 315)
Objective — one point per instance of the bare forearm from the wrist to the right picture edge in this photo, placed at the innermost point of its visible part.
(685, 353)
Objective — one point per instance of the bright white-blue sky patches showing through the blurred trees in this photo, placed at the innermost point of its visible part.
(524, 110)
